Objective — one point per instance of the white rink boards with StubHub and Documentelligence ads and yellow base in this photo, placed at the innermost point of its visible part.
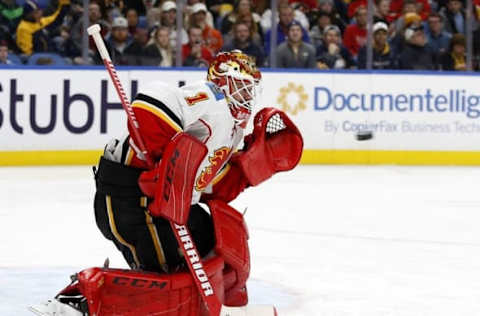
(66, 115)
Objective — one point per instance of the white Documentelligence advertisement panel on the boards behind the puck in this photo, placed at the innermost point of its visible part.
(403, 111)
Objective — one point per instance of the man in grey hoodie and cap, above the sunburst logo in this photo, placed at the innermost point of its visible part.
(295, 53)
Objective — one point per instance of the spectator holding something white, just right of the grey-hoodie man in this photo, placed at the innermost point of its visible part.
(332, 54)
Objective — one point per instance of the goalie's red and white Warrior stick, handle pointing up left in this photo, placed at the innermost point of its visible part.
(181, 232)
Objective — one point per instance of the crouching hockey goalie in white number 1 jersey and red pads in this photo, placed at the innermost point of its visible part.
(193, 134)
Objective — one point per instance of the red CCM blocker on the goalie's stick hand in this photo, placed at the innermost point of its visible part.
(171, 182)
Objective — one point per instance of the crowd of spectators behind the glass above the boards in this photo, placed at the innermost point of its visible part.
(321, 34)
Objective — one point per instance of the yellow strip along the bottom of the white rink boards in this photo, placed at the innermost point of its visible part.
(90, 157)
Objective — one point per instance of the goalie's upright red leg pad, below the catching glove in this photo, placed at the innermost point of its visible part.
(231, 236)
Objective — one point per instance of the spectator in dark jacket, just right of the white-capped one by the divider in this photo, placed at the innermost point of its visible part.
(416, 55)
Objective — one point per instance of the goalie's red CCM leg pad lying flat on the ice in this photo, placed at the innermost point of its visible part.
(133, 293)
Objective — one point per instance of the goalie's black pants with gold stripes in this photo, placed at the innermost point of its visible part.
(146, 242)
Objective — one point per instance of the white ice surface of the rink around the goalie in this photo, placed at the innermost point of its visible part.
(325, 240)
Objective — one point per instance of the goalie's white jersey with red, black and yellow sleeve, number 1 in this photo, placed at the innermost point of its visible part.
(199, 109)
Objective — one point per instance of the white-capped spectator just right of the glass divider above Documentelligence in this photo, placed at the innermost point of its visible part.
(383, 57)
